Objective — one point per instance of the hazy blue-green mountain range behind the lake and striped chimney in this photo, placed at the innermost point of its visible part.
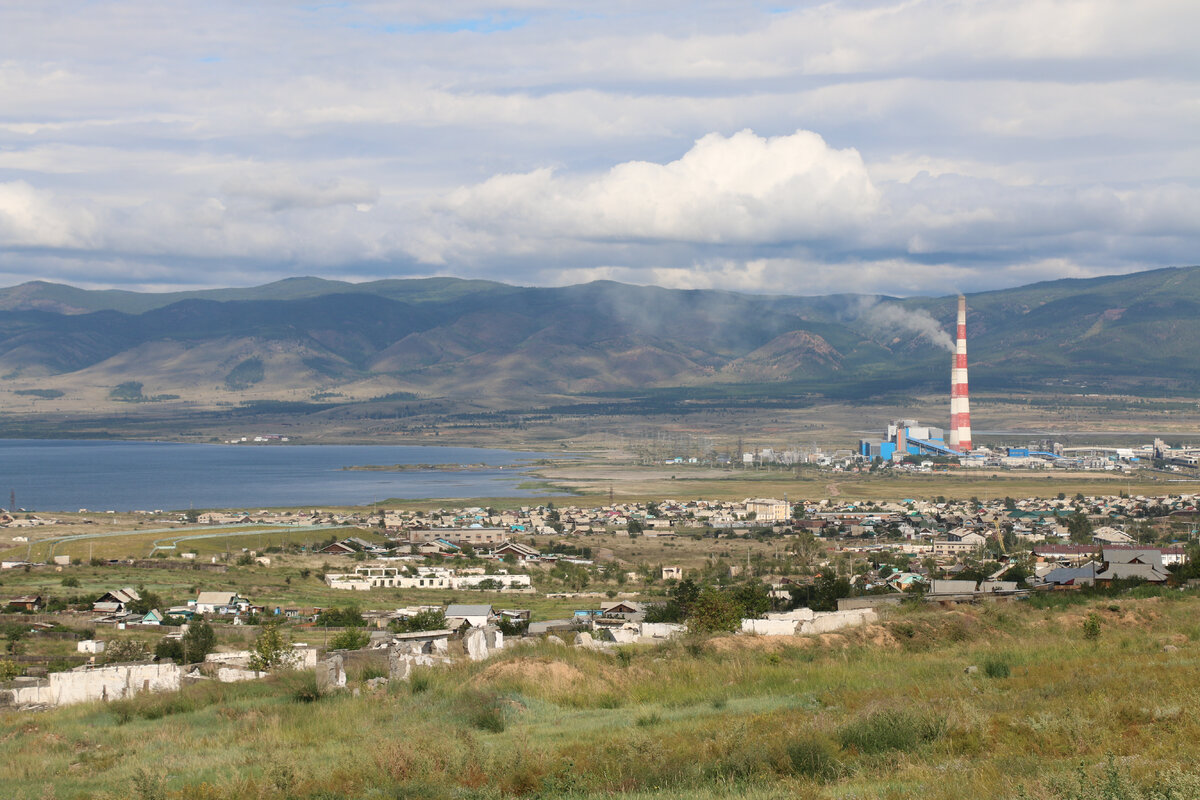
(445, 338)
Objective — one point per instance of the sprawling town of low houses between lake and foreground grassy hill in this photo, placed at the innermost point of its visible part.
(442, 581)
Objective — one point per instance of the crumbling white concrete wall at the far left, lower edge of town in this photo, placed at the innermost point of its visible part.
(95, 684)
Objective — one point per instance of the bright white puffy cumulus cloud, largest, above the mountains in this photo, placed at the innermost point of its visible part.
(739, 189)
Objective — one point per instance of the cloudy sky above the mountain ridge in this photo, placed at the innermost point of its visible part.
(922, 147)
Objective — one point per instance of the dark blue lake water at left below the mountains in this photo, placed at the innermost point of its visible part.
(64, 476)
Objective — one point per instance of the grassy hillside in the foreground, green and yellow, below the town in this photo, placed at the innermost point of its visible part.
(885, 712)
